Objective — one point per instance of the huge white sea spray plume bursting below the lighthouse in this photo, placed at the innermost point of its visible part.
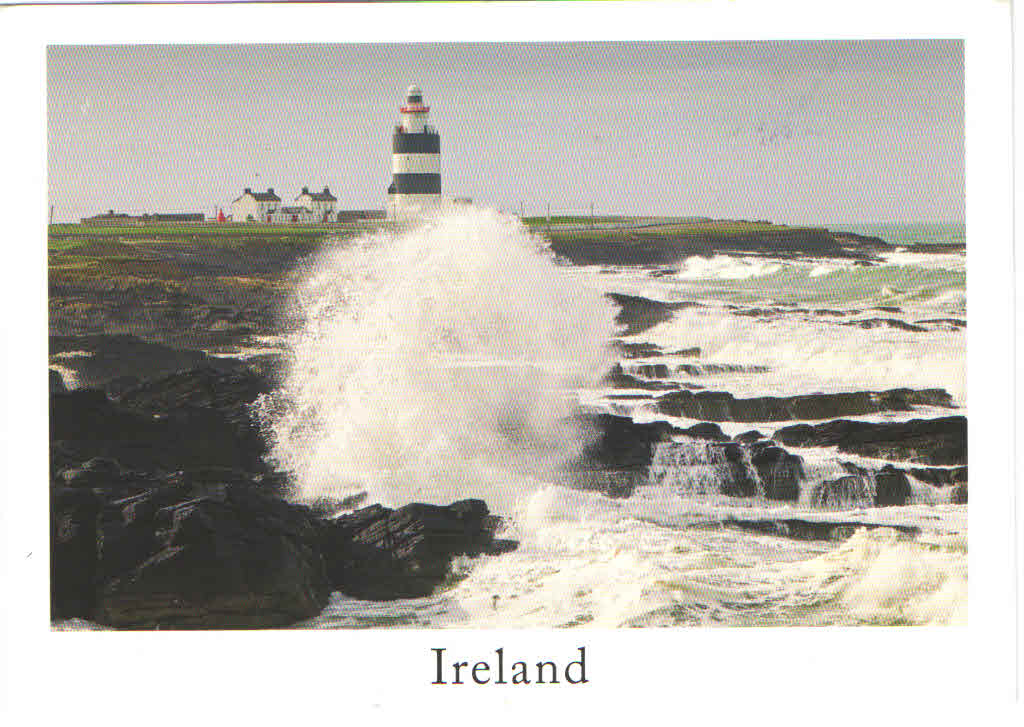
(436, 364)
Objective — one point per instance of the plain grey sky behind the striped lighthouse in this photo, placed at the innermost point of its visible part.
(791, 132)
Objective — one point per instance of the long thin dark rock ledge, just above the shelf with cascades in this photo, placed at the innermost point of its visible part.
(723, 407)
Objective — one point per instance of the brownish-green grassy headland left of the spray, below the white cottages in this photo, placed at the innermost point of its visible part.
(196, 286)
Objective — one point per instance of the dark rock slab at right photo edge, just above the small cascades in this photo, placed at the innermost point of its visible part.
(929, 442)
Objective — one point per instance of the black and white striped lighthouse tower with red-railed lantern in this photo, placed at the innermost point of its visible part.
(416, 161)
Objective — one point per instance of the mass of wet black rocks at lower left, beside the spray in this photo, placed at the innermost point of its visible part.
(163, 516)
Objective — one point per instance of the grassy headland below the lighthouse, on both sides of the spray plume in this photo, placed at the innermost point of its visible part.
(211, 285)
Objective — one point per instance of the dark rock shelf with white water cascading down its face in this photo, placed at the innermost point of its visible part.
(703, 461)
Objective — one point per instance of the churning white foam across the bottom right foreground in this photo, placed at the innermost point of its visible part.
(660, 560)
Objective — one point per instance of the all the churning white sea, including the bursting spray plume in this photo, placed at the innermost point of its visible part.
(441, 364)
